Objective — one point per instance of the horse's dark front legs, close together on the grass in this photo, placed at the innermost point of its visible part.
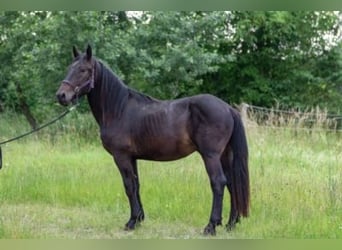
(129, 174)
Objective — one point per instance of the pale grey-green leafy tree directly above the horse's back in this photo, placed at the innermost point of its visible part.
(171, 51)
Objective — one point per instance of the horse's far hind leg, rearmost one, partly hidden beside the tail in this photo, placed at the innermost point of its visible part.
(227, 165)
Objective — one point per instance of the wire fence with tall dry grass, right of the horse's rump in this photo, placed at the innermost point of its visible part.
(314, 119)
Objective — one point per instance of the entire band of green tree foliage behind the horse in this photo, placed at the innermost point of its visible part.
(293, 58)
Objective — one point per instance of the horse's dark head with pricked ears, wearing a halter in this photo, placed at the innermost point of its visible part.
(80, 78)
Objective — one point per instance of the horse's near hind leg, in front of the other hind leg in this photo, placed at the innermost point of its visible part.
(217, 182)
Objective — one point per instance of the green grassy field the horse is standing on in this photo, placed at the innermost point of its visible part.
(66, 186)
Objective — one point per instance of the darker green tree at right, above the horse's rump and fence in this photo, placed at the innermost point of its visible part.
(273, 52)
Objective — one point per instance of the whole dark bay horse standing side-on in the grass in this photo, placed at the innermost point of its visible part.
(135, 126)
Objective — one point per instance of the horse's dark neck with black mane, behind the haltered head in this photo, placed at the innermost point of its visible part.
(108, 97)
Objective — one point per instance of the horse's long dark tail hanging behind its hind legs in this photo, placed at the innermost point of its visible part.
(239, 173)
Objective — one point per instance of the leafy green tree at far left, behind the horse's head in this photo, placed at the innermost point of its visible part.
(36, 47)
